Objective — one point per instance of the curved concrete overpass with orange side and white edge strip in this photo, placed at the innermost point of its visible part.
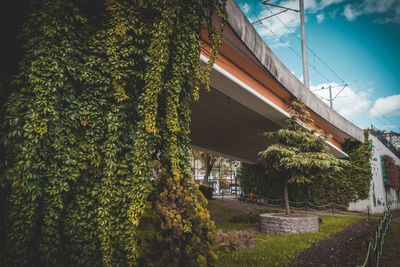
(250, 91)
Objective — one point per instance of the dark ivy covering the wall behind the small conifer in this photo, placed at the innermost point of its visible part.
(342, 188)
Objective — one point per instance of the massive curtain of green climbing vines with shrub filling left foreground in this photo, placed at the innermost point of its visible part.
(101, 101)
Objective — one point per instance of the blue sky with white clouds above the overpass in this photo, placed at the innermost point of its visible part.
(359, 40)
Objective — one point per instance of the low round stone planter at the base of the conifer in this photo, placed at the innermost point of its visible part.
(280, 223)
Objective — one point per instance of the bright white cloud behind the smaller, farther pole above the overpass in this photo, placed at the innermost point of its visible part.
(348, 103)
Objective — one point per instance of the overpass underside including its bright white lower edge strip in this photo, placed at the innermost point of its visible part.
(230, 119)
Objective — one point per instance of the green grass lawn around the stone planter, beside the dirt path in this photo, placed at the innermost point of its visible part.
(272, 250)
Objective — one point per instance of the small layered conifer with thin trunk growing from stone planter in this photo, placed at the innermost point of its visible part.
(300, 154)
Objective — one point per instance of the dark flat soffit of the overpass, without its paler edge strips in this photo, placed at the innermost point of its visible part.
(223, 126)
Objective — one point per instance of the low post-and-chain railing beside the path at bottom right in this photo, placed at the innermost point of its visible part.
(374, 251)
